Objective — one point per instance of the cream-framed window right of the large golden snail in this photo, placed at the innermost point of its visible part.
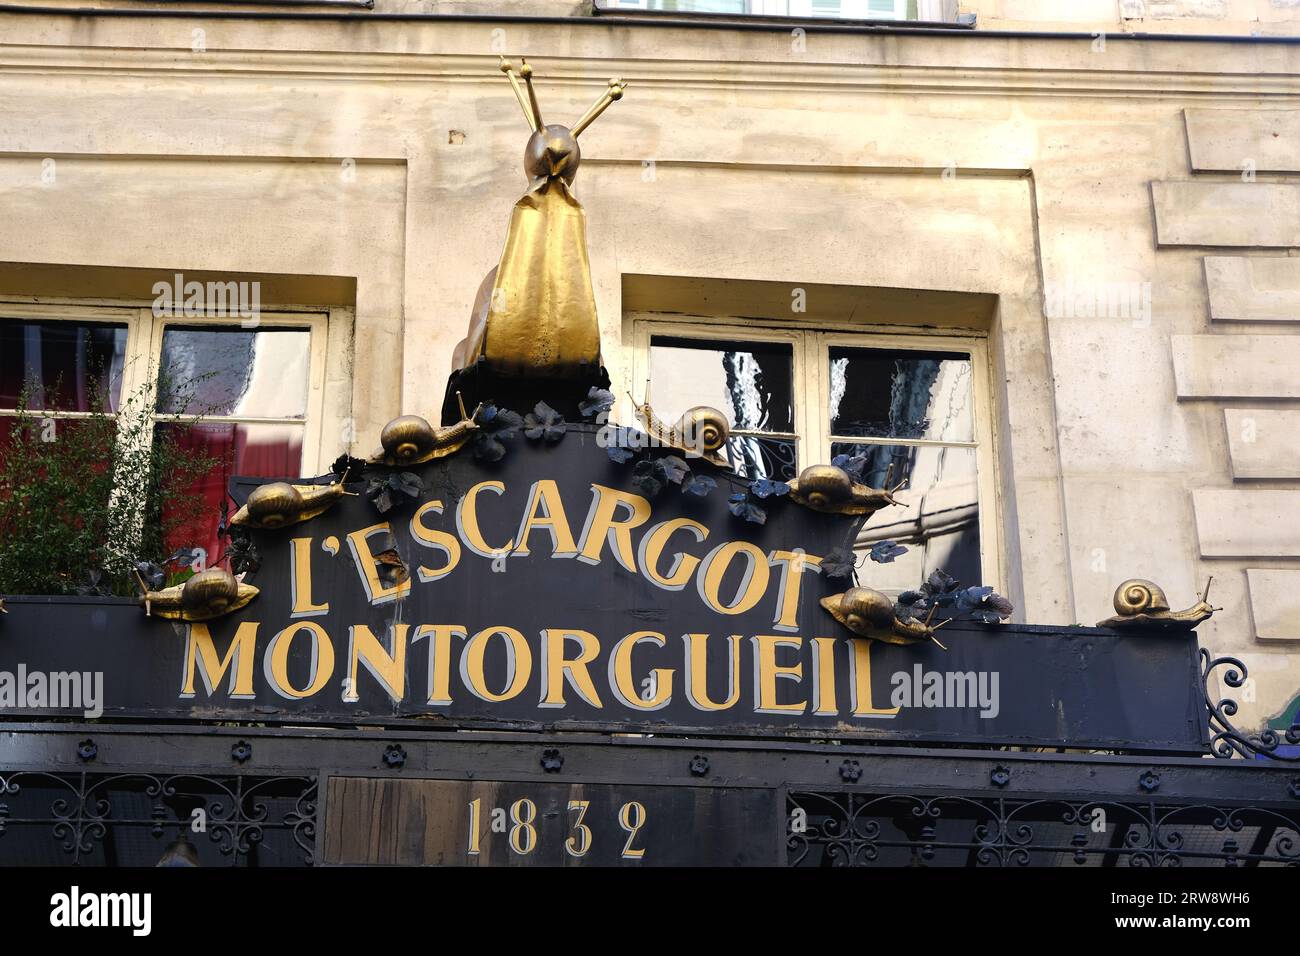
(916, 406)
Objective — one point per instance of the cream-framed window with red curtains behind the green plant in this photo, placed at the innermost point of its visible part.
(259, 390)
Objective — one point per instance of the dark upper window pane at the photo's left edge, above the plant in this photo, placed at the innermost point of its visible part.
(63, 364)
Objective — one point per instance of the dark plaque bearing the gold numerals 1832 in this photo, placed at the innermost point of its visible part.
(531, 823)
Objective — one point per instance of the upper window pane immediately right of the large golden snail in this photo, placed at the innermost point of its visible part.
(749, 382)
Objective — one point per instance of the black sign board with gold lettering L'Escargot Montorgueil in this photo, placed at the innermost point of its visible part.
(545, 591)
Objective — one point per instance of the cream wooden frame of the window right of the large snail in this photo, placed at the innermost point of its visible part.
(812, 344)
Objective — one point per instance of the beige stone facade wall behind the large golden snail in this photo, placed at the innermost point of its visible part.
(1151, 443)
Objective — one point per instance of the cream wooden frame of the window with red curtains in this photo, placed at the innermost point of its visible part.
(145, 351)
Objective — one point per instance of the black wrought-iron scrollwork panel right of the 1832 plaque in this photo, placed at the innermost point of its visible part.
(850, 829)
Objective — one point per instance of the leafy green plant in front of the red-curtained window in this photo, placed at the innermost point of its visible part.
(84, 499)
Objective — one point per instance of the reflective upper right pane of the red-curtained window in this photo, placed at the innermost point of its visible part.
(232, 371)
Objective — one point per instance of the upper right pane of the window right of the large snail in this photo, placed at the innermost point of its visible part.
(887, 393)
